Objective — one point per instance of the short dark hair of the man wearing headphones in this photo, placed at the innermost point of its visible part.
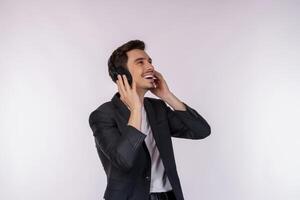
(119, 56)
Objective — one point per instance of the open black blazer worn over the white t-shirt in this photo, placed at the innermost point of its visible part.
(124, 154)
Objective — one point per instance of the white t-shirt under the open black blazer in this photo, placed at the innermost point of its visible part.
(159, 178)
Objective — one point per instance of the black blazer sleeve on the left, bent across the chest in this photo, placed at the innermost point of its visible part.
(120, 148)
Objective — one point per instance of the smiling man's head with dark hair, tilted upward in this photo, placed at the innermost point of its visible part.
(132, 56)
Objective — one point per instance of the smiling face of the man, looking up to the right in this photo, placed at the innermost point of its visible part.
(139, 65)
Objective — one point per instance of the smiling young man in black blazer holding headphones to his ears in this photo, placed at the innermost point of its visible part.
(133, 133)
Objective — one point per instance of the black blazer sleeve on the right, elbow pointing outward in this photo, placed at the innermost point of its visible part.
(187, 124)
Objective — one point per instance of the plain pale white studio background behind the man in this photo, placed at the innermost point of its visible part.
(235, 62)
